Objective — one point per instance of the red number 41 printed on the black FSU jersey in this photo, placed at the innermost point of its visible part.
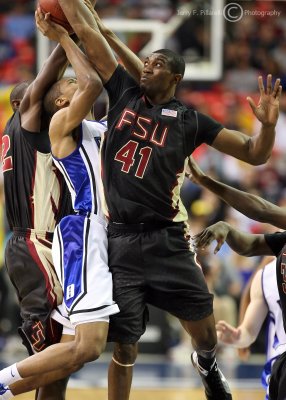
(126, 155)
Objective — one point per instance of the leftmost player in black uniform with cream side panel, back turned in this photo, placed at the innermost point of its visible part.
(36, 198)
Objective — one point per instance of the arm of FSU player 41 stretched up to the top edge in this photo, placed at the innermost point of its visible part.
(96, 47)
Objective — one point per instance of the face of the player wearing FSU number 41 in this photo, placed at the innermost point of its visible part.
(156, 75)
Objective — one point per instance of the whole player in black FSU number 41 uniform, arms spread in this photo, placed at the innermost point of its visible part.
(150, 135)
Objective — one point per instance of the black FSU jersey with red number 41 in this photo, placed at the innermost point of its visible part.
(145, 152)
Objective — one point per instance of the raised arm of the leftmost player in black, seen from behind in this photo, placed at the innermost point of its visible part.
(31, 105)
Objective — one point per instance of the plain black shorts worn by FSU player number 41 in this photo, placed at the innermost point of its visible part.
(153, 267)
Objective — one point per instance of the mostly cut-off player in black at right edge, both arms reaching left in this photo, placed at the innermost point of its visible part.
(249, 245)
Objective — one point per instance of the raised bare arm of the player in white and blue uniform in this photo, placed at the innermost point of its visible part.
(80, 93)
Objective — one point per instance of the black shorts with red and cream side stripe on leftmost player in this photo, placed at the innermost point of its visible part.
(28, 259)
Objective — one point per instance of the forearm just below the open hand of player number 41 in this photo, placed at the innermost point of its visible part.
(261, 145)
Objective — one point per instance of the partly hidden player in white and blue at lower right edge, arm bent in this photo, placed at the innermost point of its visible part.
(264, 302)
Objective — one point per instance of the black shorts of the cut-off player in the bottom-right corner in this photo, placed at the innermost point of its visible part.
(277, 384)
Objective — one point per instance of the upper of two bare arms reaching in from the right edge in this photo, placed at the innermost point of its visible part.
(252, 206)
